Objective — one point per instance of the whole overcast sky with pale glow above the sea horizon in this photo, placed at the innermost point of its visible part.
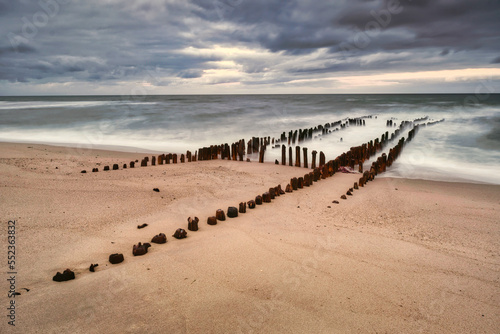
(143, 47)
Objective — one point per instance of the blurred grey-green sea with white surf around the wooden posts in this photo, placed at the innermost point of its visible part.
(464, 147)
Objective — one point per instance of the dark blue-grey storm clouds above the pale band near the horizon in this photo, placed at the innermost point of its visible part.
(112, 41)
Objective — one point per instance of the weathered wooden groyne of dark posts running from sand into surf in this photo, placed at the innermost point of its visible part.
(355, 156)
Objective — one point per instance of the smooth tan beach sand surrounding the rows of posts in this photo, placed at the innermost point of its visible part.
(400, 256)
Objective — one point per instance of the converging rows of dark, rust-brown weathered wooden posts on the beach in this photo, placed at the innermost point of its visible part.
(356, 155)
